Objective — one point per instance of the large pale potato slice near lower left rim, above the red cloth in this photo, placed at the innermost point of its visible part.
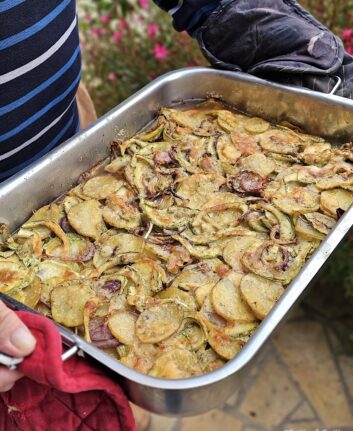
(68, 301)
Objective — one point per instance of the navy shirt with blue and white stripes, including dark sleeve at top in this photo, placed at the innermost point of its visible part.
(40, 69)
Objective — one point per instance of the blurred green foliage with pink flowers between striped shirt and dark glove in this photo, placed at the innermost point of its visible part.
(125, 46)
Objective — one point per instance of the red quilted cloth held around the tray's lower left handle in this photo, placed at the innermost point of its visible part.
(67, 396)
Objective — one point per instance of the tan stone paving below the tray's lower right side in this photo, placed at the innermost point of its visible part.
(299, 385)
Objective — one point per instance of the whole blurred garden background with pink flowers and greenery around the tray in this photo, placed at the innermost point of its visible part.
(127, 43)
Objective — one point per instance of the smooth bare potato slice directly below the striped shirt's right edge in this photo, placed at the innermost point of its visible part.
(86, 218)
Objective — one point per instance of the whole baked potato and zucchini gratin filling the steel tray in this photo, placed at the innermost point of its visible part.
(171, 256)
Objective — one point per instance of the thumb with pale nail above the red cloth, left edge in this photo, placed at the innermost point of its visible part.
(15, 337)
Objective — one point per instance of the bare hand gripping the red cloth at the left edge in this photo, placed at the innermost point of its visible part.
(15, 340)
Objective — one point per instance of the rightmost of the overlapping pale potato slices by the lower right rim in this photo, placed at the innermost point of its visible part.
(260, 294)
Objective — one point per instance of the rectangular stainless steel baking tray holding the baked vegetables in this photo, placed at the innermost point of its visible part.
(324, 115)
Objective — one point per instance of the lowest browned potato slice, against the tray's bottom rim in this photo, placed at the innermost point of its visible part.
(176, 364)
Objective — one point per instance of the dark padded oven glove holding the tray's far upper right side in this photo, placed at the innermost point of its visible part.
(276, 40)
